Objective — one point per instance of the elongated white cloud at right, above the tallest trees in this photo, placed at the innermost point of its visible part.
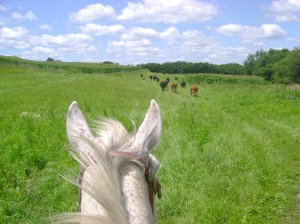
(252, 33)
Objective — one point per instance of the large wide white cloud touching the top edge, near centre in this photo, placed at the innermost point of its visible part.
(169, 11)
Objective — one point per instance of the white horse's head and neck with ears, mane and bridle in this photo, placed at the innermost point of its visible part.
(117, 182)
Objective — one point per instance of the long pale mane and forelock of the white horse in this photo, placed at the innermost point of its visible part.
(105, 185)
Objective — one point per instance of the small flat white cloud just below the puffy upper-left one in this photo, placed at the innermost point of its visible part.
(99, 30)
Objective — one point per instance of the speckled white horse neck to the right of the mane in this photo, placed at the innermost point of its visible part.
(136, 196)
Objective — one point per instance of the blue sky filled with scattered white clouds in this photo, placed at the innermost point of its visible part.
(142, 31)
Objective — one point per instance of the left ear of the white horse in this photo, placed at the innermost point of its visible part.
(78, 131)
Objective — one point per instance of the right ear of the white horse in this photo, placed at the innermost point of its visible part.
(149, 132)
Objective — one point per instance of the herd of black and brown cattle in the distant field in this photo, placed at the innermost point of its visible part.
(164, 84)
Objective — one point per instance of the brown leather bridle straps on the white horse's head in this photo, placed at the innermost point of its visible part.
(154, 186)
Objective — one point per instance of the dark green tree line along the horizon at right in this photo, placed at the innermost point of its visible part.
(280, 66)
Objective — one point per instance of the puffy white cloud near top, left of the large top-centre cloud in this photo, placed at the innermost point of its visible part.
(91, 13)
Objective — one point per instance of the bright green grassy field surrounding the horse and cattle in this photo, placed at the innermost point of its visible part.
(229, 155)
